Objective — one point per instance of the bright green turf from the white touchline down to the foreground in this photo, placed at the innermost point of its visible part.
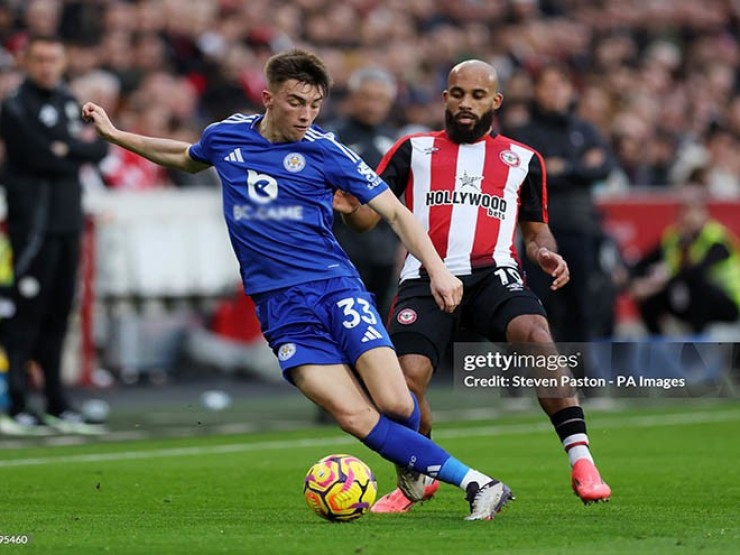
(674, 473)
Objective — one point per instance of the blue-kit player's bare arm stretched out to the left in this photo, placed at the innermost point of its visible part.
(165, 152)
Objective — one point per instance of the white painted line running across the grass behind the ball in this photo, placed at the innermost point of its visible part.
(507, 429)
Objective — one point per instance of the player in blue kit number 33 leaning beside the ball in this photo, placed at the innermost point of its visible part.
(279, 174)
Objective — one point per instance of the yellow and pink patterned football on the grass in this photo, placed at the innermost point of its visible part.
(340, 488)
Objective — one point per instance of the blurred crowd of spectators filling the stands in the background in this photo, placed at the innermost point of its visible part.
(659, 78)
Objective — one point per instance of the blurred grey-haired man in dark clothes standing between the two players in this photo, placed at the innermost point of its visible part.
(371, 93)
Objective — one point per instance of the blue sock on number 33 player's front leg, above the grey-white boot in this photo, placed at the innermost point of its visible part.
(400, 445)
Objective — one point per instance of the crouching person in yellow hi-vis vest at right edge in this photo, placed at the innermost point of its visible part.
(693, 274)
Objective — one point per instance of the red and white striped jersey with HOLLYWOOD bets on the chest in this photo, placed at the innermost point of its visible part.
(469, 197)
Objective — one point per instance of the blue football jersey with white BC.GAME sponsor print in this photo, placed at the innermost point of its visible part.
(277, 200)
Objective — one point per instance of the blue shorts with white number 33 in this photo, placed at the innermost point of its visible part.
(331, 321)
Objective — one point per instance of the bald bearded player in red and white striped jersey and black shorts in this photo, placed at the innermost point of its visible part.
(470, 188)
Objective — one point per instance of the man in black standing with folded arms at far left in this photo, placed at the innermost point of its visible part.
(46, 143)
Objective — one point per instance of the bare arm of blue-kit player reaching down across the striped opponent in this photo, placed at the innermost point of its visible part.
(446, 288)
